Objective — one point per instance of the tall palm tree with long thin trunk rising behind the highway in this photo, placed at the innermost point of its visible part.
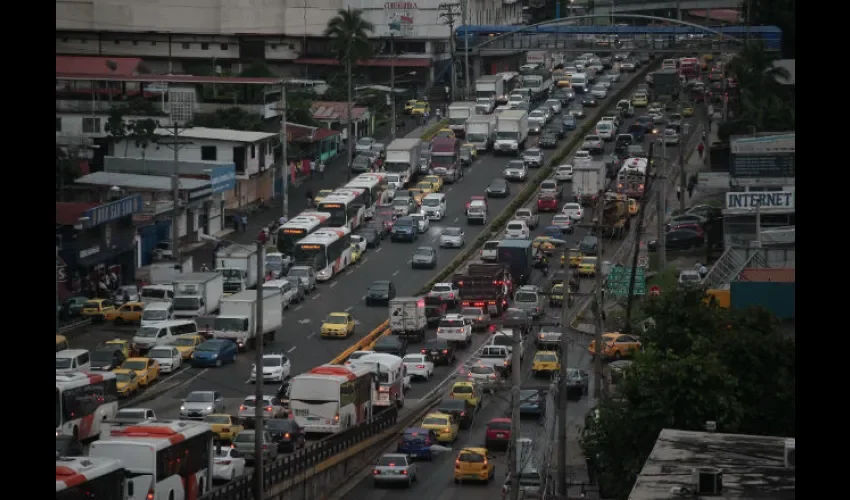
(348, 31)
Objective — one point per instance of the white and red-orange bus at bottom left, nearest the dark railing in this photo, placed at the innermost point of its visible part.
(166, 460)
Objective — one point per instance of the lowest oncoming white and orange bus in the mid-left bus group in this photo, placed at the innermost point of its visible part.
(327, 251)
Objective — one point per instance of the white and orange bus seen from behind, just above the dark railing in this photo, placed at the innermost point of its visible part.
(331, 398)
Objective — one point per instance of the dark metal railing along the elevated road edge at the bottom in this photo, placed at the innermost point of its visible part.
(288, 466)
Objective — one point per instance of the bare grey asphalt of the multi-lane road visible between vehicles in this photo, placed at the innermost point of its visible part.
(299, 336)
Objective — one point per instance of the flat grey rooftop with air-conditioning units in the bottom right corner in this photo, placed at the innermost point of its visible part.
(753, 466)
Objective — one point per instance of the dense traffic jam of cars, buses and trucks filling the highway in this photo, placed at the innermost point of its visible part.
(353, 261)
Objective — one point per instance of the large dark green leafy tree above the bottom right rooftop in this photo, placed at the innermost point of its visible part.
(700, 363)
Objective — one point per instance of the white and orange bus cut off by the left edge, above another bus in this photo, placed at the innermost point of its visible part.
(83, 401)
